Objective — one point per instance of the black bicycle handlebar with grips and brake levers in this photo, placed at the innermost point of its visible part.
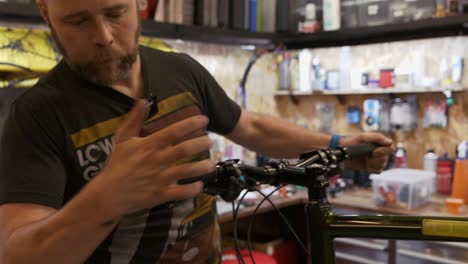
(227, 180)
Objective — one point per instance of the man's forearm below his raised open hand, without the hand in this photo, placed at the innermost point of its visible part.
(68, 236)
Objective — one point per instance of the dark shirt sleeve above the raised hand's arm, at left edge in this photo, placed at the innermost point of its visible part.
(31, 158)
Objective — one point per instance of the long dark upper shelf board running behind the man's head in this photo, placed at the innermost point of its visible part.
(428, 28)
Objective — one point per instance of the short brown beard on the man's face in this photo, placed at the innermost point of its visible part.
(107, 66)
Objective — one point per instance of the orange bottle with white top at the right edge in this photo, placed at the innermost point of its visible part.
(460, 179)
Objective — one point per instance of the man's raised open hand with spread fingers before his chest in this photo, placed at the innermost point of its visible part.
(142, 172)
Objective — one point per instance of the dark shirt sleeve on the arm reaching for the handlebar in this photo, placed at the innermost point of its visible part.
(222, 111)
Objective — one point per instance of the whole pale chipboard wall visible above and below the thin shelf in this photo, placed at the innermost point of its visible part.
(227, 64)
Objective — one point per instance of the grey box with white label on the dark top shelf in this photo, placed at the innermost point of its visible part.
(373, 12)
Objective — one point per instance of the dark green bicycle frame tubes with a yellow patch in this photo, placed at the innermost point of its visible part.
(324, 226)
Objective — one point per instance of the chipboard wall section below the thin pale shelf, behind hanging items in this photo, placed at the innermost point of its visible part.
(417, 142)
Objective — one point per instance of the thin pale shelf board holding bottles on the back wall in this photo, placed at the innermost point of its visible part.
(369, 91)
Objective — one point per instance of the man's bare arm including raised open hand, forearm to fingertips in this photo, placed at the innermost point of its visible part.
(135, 177)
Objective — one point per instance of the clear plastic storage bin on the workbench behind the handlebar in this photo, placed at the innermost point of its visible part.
(403, 188)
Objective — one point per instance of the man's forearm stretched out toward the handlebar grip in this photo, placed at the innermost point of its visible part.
(275, 137)
